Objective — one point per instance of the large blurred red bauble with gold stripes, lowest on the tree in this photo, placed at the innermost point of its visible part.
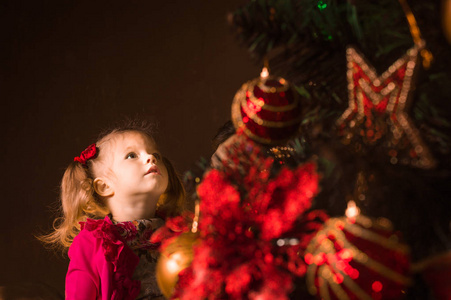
(357, 257)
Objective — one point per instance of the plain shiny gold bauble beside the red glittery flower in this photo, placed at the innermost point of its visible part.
(176, 257)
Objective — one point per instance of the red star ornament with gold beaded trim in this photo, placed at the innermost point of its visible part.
(377, 106)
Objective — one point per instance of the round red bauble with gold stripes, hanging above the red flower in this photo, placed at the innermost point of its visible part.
(267, 110)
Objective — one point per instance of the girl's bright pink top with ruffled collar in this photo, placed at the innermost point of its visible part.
(102, 265)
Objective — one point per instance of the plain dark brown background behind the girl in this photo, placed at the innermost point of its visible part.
(69, 68)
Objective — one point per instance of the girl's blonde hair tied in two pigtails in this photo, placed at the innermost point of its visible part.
(79, 201)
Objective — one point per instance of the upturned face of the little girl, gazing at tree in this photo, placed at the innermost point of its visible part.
(137, 167)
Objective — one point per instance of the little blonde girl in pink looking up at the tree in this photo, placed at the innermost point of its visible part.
(114, 195)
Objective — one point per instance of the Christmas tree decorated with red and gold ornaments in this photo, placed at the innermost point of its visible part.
(370, 81)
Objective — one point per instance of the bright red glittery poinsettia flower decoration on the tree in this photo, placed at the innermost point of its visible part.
(254, 226)
